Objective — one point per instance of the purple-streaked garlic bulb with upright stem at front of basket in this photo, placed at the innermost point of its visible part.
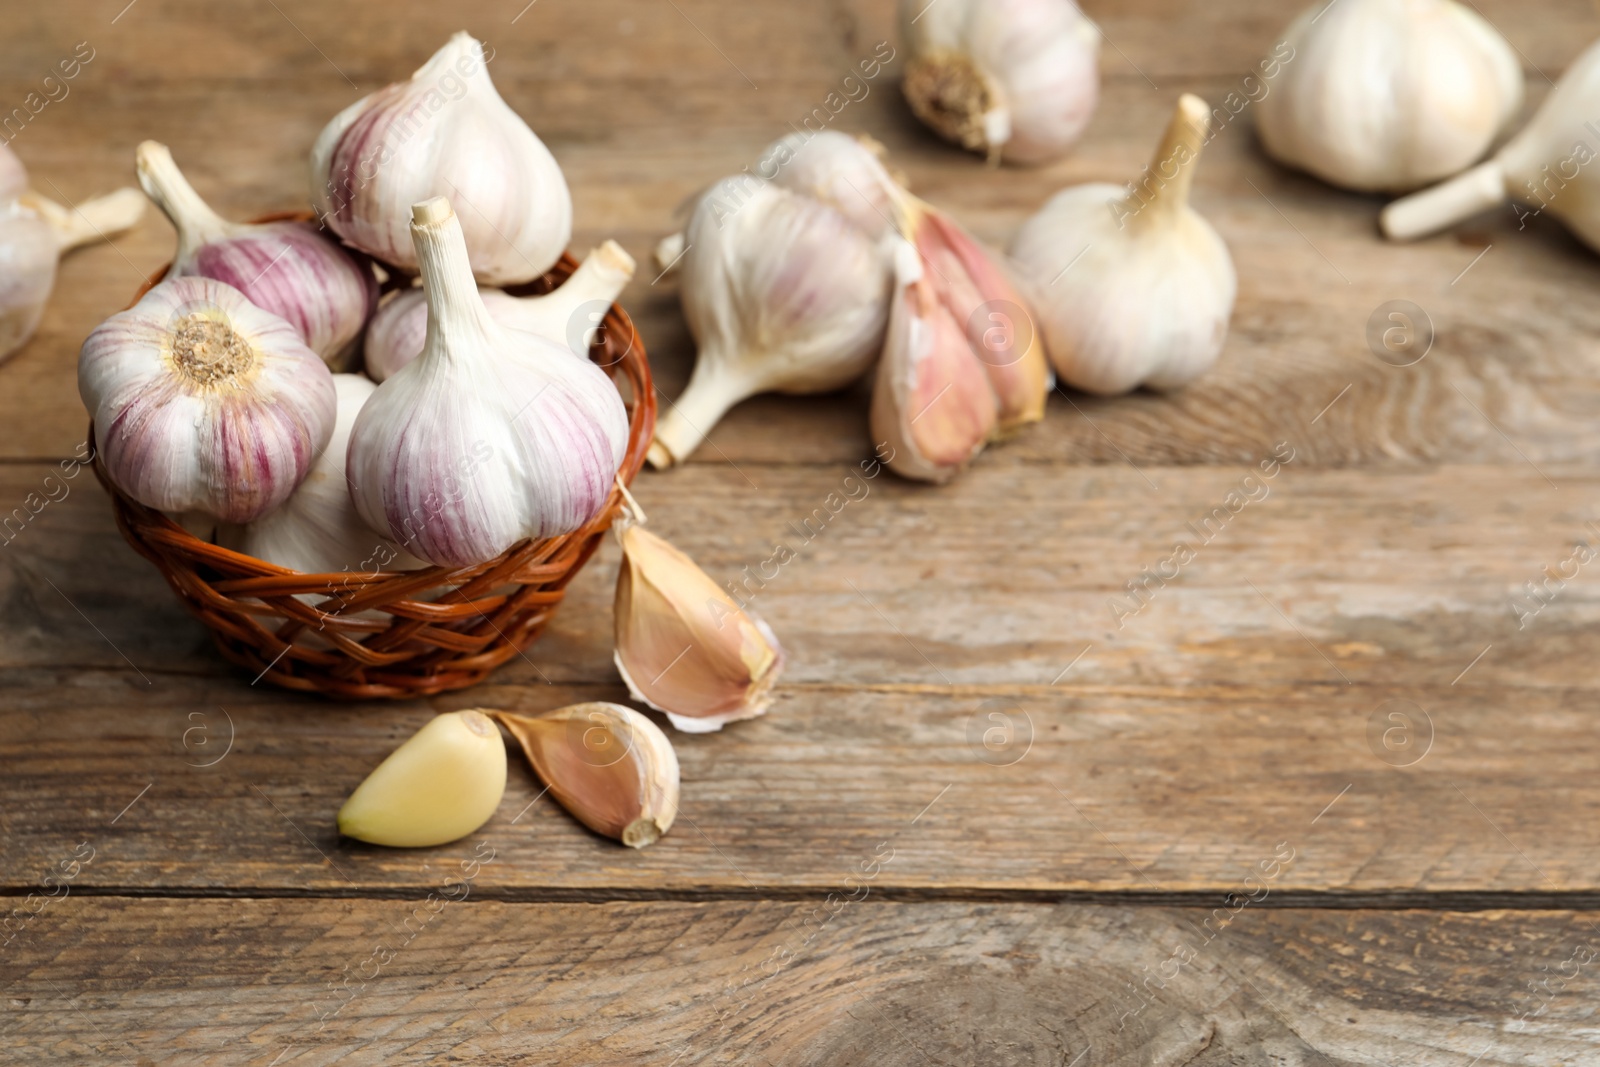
(490, 436)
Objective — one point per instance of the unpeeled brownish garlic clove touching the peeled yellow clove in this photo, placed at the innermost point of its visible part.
(606, 764)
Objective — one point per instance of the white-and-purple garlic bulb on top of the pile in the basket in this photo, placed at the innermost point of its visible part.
(444, 134)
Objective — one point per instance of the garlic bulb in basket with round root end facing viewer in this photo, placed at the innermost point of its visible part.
(202, 402)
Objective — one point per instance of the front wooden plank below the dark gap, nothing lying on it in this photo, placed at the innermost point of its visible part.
(410, 981)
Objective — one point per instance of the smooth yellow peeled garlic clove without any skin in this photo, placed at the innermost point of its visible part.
(438, 788)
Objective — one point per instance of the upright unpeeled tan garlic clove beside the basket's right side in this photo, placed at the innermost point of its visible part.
(682, 645)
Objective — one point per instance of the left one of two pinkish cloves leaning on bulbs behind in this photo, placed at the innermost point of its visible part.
(932, 401)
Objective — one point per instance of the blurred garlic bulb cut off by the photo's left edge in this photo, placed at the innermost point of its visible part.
(34, 234)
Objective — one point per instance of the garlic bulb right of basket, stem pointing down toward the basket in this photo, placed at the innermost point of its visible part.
(783, 295)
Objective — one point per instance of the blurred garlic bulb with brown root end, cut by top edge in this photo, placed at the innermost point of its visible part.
(1014, 79)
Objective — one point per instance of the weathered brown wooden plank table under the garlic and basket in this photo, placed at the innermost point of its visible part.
(1196, 845)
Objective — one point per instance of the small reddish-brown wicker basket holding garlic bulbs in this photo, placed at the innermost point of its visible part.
(487, 613)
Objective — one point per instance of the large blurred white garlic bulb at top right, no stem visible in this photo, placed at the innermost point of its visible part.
(1388, 95)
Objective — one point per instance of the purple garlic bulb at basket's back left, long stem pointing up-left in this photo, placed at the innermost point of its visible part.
(284, 268)
